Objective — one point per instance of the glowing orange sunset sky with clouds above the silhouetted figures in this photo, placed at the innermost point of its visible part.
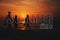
(23, 7)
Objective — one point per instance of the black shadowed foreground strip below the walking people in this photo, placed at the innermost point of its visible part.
(29, 35)
